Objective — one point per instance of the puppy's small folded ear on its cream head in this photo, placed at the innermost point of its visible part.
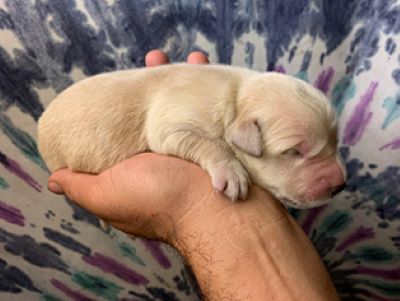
(247, 136)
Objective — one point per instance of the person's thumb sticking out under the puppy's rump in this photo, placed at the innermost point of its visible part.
(84, 189)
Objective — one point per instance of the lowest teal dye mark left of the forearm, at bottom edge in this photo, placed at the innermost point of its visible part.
(97, 285)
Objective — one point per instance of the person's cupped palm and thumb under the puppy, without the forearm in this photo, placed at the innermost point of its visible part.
(146, 195)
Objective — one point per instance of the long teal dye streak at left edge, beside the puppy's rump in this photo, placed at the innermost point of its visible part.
(22, 140)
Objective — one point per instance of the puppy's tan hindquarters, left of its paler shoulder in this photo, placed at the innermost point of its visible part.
(99, 110)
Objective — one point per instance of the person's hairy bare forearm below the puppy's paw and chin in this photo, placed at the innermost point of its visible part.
(253, 250)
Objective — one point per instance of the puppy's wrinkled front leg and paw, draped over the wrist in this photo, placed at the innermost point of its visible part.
(212, 154)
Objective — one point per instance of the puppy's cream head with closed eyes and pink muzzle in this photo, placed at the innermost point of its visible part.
(285, 133)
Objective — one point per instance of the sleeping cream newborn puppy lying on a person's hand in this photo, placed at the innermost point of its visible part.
(237, 124)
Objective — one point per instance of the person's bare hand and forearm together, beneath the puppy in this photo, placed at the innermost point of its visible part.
(250, 250)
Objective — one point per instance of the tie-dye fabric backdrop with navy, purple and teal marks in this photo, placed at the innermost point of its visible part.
(50, 249)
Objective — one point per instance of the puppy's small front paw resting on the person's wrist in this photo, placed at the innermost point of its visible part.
(231, 179)
